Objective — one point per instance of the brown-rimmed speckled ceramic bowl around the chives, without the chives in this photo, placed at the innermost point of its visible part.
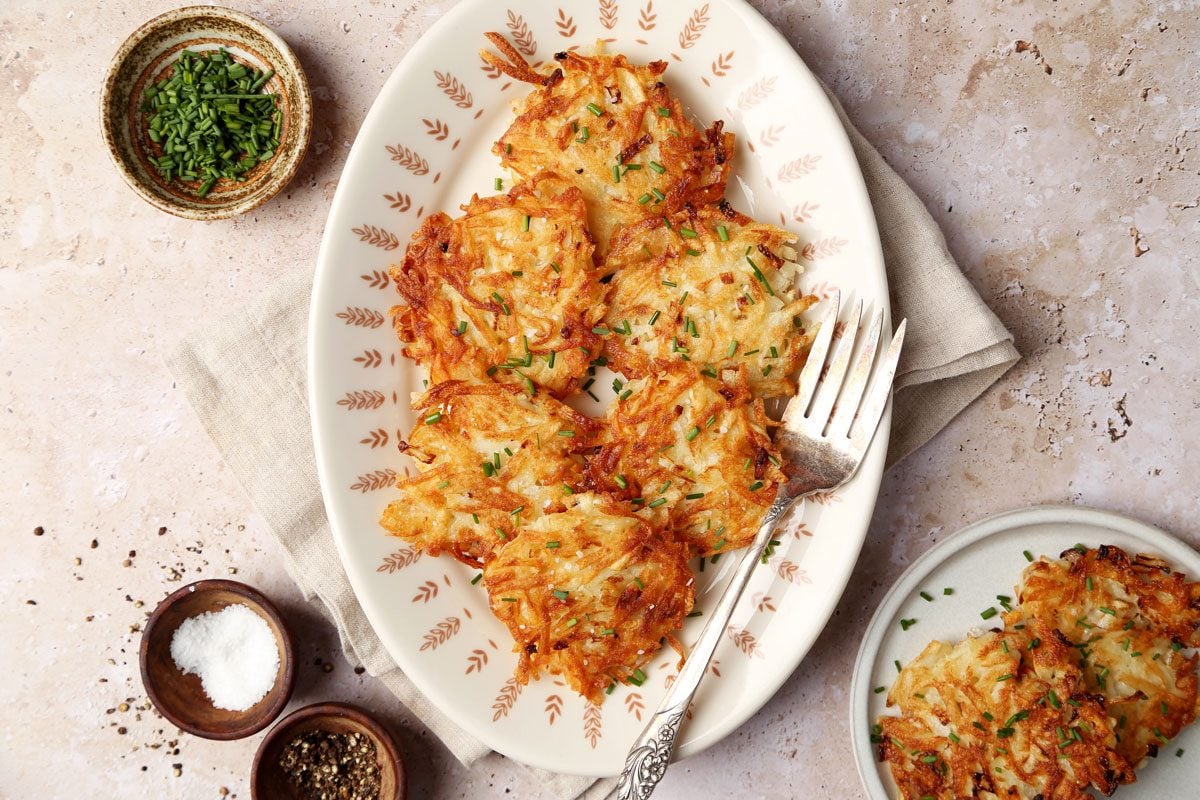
(148, 56)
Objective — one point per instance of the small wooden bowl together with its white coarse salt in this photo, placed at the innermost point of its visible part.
(217, 660)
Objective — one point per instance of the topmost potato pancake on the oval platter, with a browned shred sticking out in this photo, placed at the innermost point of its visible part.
(617, 133)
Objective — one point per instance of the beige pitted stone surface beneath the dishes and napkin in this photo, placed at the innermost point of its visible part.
(1057, 143)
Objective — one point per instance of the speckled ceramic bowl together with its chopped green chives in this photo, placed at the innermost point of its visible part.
(206, 112)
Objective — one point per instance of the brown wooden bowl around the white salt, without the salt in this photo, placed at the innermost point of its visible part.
(179, 697)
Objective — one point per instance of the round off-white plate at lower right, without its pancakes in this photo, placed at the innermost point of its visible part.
(979, 563)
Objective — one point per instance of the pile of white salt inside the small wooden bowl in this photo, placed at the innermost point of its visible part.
(233, 652)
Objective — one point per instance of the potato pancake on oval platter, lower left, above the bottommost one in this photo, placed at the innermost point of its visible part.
(491, 458)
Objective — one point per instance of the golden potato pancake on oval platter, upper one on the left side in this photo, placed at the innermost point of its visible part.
(511, 284)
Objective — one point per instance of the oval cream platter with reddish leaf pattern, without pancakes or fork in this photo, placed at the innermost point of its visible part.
(425, 147)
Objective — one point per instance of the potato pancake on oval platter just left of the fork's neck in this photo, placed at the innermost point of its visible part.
(693, 454)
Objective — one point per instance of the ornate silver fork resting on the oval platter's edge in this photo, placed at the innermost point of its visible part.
(824, 442)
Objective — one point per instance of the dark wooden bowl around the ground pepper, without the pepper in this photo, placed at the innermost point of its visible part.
(268, 781)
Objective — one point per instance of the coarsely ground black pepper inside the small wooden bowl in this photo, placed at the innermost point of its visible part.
(323, 766)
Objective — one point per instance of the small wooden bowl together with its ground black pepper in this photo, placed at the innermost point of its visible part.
(328, 751)
